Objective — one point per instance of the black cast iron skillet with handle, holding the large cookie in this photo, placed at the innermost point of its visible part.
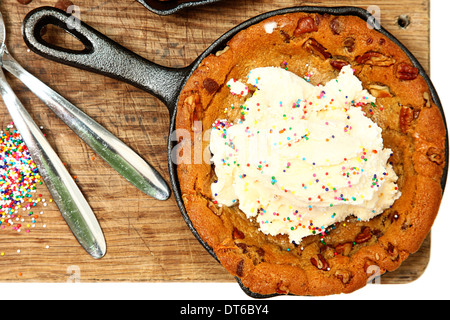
(104, 56)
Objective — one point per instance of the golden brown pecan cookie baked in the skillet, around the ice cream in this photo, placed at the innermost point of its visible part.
(343, 259)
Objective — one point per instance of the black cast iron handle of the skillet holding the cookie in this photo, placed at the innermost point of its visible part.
(101, 55)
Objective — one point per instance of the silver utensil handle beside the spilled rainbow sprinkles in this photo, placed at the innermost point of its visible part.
(66, 194)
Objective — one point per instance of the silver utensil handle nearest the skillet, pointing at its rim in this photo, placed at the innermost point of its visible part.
(116, 153)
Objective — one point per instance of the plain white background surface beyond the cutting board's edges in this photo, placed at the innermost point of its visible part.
(433, 284)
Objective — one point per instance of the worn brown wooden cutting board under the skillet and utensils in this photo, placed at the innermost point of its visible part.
(148, 241)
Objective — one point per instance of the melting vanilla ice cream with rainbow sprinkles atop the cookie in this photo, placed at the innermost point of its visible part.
(303, 157)
